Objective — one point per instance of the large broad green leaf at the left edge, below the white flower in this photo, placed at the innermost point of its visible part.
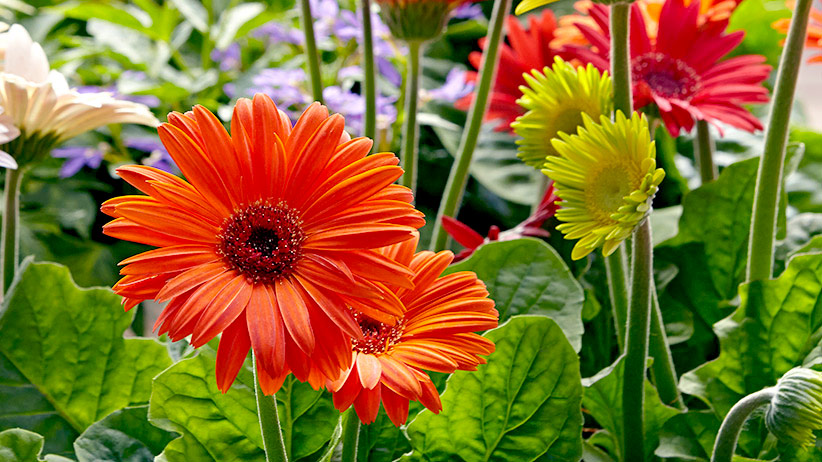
(64, 348)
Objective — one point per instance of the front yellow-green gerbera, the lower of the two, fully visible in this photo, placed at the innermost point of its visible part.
(606, 177)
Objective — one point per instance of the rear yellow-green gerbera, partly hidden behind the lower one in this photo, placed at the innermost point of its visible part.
(556, 99)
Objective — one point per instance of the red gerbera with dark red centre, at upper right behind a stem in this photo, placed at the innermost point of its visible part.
(680, 71)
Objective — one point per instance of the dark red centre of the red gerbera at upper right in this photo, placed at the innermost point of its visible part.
(668, 77)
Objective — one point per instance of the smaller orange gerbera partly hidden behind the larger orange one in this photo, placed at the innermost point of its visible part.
(434, 334)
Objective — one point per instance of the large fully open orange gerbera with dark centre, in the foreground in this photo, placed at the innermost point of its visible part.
(269, 241)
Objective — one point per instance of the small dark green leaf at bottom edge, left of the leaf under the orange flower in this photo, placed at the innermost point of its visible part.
(122, 436)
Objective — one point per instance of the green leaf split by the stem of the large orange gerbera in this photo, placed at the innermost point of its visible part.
(224, 427)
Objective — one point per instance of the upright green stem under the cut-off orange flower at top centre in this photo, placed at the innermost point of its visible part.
(410, 129)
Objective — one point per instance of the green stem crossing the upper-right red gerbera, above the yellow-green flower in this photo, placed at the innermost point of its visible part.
(620, 58)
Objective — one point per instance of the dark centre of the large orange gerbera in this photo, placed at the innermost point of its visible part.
(262, 241)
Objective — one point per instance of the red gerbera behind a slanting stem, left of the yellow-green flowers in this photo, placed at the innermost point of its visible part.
(529, 49)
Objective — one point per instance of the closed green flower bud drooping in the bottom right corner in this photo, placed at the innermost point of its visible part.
(796, 407)
